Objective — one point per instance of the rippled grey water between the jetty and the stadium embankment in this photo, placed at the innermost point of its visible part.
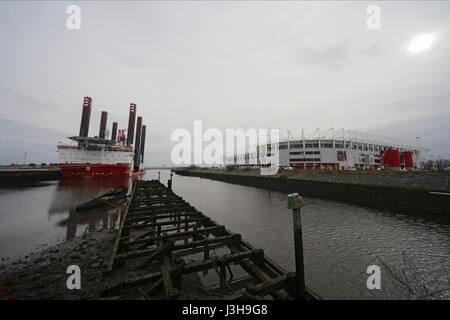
(340, 240)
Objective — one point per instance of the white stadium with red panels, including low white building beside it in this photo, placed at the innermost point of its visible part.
(343, 149)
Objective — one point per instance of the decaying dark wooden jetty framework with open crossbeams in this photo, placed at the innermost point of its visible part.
(166, 249)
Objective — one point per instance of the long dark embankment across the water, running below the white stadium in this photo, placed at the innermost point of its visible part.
(405, 192)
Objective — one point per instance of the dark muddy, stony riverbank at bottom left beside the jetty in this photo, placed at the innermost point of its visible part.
(42, 274)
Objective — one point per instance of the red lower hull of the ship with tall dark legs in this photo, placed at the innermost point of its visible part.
(108, 170)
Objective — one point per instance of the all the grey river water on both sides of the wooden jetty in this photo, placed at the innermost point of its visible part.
(340, 240)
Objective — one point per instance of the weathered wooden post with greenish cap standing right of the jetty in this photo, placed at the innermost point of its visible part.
(296, 202)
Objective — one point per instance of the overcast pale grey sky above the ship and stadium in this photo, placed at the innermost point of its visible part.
(283, 65)
